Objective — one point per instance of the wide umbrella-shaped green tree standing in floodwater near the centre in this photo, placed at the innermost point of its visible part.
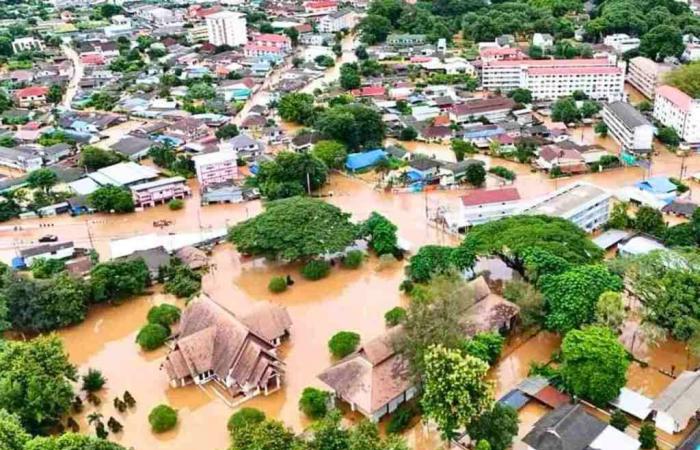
(284, 231)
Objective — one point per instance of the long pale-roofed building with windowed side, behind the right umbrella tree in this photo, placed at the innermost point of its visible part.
(586, 205)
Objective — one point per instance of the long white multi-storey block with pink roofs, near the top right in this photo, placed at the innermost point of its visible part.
(549, 79)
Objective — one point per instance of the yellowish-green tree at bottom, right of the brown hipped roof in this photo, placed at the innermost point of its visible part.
(455, 390)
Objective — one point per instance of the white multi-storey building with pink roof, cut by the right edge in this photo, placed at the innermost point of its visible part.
(676, 109)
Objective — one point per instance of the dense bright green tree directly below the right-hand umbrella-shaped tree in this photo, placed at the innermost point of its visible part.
(570, 297)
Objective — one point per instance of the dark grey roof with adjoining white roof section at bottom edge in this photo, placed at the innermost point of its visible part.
(570, 427)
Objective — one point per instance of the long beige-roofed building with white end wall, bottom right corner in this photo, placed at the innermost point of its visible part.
(678, 403)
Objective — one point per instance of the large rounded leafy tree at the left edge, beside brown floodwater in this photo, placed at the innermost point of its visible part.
(35, 383)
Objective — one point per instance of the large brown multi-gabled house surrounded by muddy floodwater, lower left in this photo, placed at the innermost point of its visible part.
(215, 345)
